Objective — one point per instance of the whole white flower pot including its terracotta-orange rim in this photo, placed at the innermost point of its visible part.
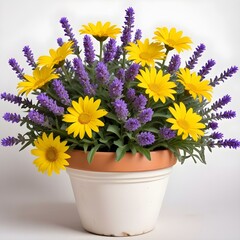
(119, 198)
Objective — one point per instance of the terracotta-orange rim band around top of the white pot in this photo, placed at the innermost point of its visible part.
(105, 161)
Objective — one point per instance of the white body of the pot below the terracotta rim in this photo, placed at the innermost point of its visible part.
(119, 203)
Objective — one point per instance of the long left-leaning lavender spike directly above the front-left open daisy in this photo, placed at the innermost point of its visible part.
(89, 89)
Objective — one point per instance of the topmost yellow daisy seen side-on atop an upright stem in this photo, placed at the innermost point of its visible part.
(100, 31)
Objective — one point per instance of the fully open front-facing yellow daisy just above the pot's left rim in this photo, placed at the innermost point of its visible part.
(84, 116)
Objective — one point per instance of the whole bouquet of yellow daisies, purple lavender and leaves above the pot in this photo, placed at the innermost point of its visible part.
(130, 95)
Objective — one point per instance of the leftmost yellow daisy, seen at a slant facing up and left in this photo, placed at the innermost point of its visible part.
(40, 77)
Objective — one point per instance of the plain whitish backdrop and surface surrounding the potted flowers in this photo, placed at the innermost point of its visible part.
(202, 202)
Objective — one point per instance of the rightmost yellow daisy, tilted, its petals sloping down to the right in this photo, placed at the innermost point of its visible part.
(193, 83)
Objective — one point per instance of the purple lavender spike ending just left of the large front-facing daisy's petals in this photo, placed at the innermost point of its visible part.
(50, 104)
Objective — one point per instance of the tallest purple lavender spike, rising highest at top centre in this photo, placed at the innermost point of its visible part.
(127, 28)
